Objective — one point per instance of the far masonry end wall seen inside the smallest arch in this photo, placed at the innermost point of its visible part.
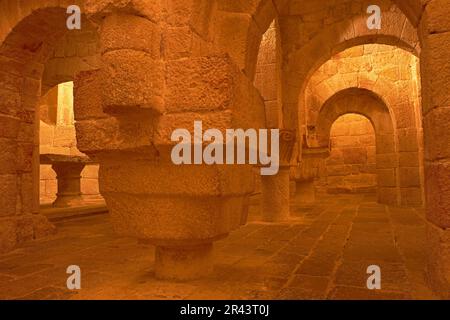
(351, 167)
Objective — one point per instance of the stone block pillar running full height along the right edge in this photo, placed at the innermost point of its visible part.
(435, 67)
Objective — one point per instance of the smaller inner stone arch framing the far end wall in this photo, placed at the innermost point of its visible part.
(370, 105)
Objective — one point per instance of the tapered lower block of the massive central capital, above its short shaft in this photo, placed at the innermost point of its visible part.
(206, 199)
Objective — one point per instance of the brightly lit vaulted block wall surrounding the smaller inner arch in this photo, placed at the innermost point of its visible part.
(391, 74)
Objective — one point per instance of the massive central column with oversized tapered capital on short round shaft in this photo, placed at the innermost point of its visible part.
(126, 113)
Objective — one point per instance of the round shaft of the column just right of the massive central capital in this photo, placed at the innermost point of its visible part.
(275, 196)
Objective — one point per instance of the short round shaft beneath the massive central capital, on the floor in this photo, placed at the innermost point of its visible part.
(183, 263)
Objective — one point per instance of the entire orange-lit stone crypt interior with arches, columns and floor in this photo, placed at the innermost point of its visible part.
(86, 118)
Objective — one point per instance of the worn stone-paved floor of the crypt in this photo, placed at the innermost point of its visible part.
(323, 253)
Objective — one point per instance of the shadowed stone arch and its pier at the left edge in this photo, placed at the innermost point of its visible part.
(29, 40)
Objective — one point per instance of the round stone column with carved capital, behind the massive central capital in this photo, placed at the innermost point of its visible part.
(275, 190)
